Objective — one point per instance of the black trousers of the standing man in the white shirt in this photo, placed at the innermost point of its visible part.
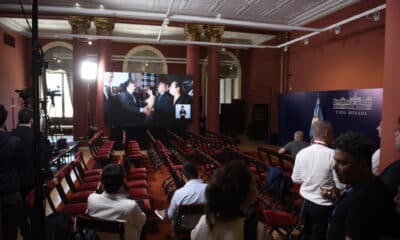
(316, 218)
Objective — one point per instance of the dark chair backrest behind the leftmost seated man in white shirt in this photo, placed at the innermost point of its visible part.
(99, 225)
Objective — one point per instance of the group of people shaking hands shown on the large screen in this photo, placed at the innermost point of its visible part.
(159, 104)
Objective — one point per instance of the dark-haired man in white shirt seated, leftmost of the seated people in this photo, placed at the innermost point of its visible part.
(115, 206)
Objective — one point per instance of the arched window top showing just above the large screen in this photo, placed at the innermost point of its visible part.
(145, 58)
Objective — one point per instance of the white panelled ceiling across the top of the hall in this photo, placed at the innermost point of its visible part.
(277, 15)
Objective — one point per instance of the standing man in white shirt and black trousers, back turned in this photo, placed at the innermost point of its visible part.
(313, 169)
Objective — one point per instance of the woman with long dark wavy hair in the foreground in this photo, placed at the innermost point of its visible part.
(230, 192)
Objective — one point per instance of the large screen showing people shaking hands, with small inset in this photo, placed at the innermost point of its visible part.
(140, 99)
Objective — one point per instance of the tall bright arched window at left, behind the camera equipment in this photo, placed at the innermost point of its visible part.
(58, 86)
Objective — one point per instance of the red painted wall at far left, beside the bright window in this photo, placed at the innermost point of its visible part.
(13, 74)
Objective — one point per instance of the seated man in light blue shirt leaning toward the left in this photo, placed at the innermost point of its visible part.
(193, 192)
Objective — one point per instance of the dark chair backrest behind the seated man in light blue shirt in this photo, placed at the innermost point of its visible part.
(188, 216)
